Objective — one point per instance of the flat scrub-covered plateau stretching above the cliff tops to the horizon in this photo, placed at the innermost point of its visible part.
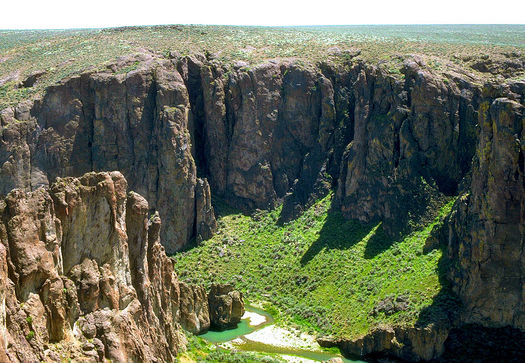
(64, 53)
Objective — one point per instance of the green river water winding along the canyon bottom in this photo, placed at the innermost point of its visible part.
(244, 328)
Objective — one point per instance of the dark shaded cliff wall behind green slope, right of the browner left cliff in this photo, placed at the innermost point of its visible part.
(283, 131)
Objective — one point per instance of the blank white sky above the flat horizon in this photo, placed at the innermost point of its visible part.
(62, 14)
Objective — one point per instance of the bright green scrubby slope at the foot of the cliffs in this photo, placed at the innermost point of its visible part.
(321, 272)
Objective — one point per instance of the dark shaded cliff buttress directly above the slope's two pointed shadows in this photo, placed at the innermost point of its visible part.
(412, 144)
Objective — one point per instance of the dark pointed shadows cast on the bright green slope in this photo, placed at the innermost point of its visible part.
(340, 233)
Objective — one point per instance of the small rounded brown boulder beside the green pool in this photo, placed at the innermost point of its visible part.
(226, 306)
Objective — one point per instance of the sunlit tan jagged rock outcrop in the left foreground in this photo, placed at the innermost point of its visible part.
(82, 266)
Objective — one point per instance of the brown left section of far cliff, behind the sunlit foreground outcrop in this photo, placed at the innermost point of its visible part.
(136, 123)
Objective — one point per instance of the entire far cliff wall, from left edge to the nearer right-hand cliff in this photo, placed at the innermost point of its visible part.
(278, 131)
